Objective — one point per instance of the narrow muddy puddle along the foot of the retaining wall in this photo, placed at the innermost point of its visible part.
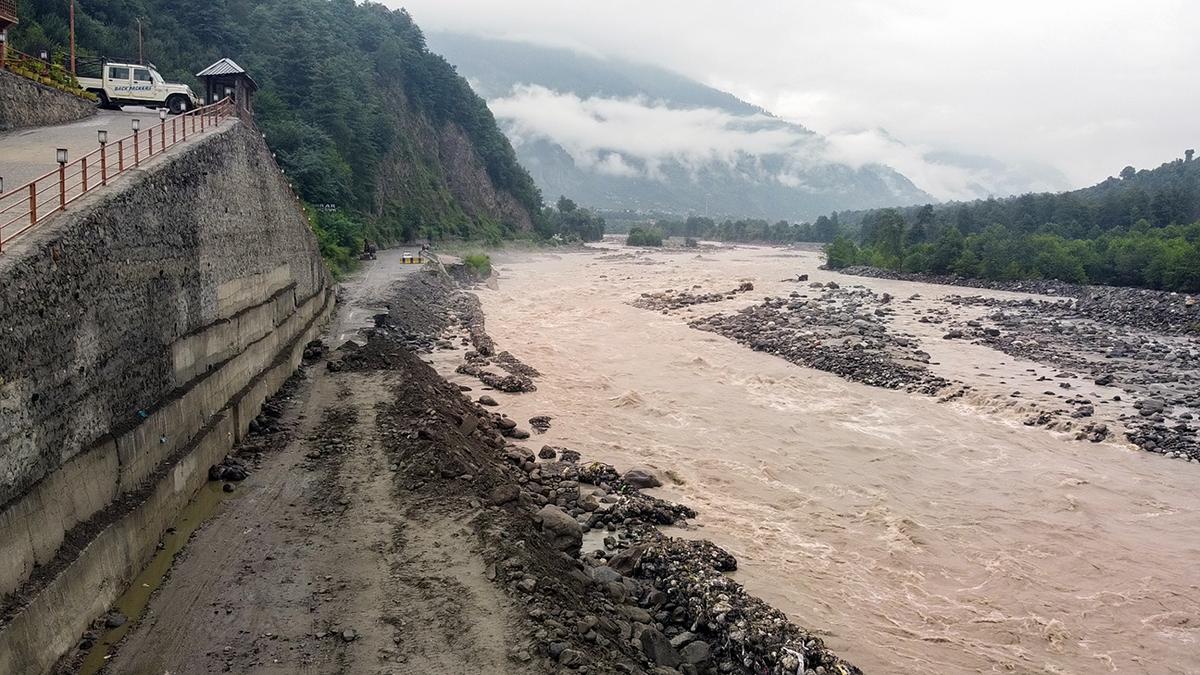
(137, 598)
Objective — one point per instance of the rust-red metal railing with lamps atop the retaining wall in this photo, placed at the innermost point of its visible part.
(33, 204)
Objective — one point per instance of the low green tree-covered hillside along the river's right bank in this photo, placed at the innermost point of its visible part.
(1139, 230)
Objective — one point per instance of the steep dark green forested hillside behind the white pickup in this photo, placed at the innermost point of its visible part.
(359, 112)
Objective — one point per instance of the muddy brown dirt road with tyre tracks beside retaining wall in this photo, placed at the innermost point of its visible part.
(323, 564)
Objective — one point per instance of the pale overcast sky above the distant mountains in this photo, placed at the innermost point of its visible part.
(1083, 86)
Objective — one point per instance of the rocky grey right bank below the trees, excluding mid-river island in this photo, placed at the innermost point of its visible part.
(1143, 343)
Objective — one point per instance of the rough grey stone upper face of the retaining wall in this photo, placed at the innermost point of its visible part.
(107, 314)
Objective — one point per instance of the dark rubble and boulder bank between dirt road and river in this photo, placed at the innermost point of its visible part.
(637, 602)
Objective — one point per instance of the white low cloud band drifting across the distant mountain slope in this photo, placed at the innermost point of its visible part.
(637, 138)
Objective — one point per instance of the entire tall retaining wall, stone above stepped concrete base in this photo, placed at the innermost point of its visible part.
(141, 334)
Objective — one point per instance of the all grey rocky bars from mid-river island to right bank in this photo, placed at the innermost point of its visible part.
(1135, 342)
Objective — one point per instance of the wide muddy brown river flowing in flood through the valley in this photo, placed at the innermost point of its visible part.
(915, 535)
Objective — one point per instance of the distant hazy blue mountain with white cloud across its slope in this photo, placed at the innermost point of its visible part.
(621, 135)
